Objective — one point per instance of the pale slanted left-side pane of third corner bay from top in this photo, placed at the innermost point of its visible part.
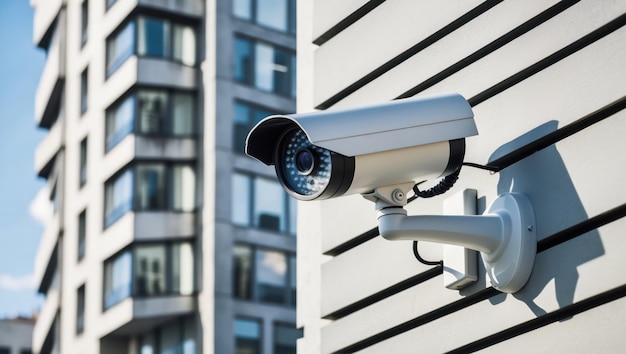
(119, 194)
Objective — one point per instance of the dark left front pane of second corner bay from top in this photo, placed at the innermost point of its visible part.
(152, 107)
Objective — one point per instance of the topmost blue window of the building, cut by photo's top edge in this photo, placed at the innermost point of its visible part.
(276, 14)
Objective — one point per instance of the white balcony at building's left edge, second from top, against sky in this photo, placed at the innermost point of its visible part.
(50, 88)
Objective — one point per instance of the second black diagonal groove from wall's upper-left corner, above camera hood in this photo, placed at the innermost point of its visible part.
(433, 38)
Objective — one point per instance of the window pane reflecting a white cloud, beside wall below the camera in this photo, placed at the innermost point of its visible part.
(271, 276)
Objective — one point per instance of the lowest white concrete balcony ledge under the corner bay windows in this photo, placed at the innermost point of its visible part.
(135, 316)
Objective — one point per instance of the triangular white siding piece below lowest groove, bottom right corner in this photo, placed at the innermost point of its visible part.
(600, 330)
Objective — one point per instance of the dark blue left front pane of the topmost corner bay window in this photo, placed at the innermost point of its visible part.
(152, 37)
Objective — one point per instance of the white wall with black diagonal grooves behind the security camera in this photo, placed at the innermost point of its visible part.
(545, 80)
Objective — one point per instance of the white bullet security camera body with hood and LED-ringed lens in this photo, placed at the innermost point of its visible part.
(332, 153)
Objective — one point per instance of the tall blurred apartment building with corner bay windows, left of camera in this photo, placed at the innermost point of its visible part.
(165, 238)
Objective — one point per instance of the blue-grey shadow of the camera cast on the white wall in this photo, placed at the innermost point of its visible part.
(544, 178)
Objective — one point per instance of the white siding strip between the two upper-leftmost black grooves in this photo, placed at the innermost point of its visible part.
(387, 31)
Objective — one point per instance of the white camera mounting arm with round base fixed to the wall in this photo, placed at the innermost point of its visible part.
(504, 235)
